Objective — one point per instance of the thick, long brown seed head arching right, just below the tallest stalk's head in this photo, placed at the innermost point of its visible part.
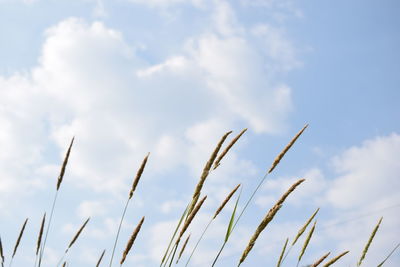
(267, 219)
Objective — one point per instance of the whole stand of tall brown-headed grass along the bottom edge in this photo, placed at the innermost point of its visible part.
(189, 214)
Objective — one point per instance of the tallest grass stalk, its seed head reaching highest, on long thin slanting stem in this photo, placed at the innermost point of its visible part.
(273, 166)
